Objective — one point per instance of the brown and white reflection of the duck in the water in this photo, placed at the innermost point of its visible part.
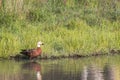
(32, 67)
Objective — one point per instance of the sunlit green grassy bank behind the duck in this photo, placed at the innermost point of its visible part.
(66, 27)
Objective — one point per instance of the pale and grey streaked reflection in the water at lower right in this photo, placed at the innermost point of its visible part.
(93, 73)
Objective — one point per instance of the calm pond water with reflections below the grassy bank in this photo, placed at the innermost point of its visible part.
(94, 68)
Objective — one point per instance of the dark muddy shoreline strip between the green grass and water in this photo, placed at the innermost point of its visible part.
(97, 54)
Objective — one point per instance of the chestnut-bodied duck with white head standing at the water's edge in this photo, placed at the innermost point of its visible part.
(33, 53)
